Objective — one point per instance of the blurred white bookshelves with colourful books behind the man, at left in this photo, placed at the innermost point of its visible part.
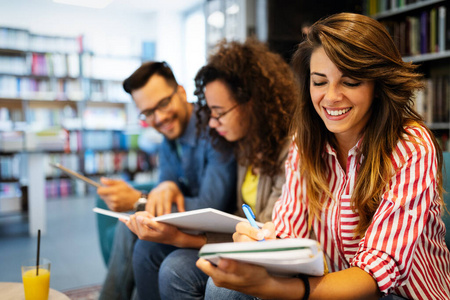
(63, 102)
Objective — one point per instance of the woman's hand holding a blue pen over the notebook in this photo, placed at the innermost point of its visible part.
(247, 233)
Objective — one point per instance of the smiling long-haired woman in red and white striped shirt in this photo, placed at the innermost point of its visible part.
(363, 178)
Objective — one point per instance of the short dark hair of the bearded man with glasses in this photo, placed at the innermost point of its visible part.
(141, 76)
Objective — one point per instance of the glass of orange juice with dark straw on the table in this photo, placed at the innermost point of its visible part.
(36, 279)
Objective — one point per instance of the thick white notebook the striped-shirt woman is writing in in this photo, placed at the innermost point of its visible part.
(280, 257)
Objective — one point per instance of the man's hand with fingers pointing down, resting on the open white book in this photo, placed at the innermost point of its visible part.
(162, 197)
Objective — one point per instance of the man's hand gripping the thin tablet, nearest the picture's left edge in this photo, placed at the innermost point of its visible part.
(117, 194)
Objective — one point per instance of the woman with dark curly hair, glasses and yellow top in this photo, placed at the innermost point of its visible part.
(246, 95)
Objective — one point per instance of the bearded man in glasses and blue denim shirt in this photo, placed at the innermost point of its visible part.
(192, 174)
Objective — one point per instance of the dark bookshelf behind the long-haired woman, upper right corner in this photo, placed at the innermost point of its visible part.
(420, 30)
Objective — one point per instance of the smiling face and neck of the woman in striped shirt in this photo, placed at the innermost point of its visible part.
(343, 103)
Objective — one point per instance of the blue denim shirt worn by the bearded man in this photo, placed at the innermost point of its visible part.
(205, 176)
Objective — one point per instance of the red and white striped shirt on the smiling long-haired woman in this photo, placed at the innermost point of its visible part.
(404, 247)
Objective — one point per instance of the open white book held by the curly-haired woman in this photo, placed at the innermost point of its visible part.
(194, 221)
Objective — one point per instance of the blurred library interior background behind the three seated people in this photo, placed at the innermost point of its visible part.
(62, 101)
